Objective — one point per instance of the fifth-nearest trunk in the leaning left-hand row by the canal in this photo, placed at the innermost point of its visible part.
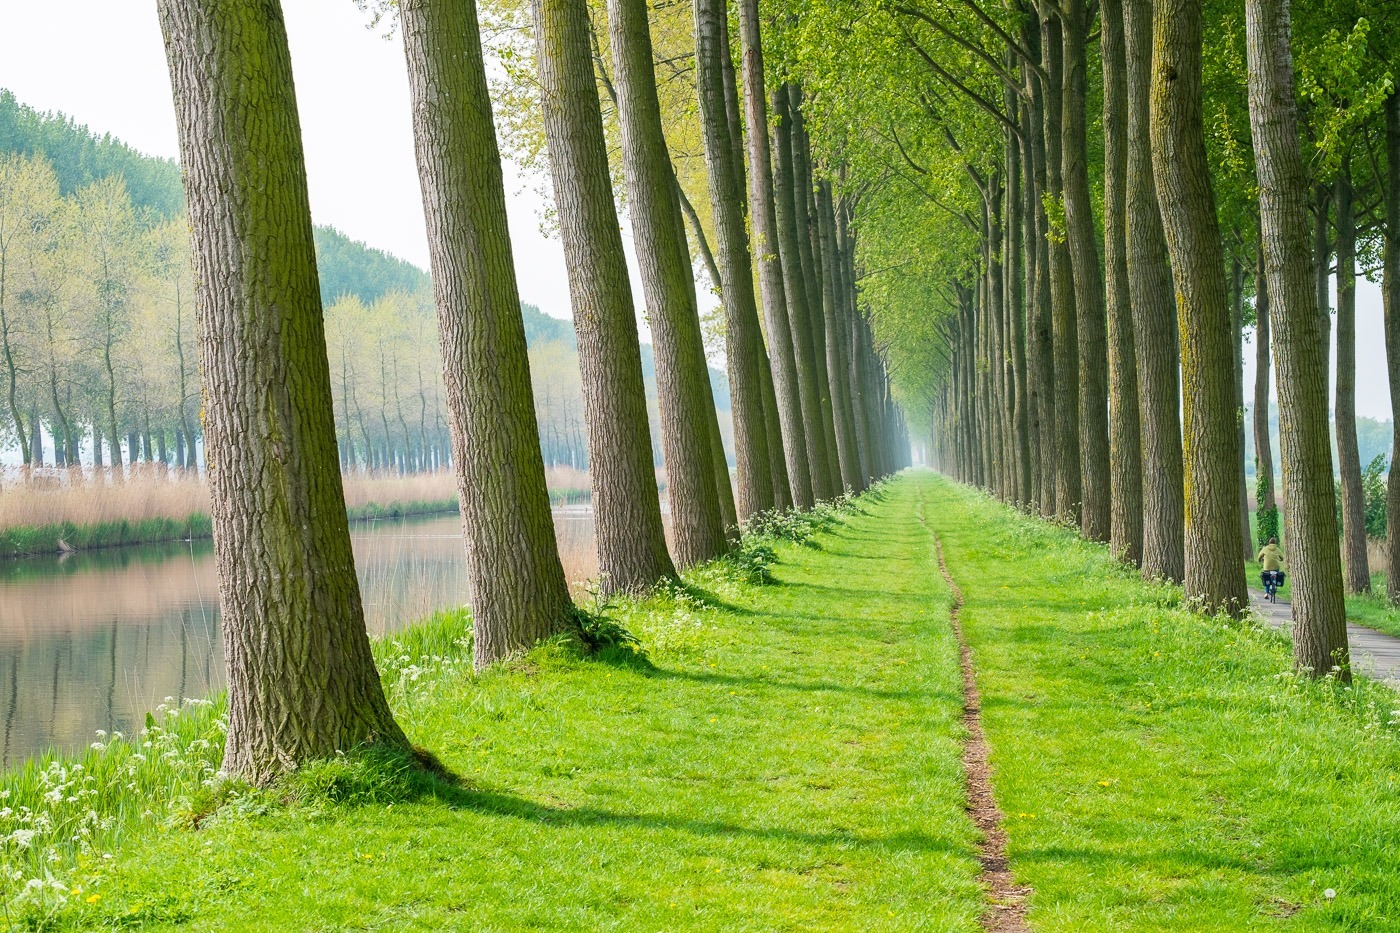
(744, 343)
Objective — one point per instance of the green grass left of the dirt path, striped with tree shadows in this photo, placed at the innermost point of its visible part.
(787, 759)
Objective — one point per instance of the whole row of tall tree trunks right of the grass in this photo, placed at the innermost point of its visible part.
(1087, 394)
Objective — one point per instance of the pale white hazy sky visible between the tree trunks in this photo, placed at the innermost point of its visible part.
(103, 62)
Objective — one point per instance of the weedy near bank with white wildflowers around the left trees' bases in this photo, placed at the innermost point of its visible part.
(87, 805)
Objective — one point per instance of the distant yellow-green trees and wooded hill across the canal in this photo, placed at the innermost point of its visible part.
(99, 355)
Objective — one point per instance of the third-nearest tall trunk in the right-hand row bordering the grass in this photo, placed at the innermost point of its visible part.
(1154, 320)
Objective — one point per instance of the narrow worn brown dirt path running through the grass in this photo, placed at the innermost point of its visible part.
(1007, 908)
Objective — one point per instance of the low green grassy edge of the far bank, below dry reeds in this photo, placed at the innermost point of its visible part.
(40, 541)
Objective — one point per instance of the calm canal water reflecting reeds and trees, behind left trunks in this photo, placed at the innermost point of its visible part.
(93, 641)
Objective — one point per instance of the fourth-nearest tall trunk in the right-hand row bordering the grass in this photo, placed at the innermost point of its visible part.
(1125, 432)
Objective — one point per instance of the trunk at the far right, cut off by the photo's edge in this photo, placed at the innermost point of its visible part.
(1391, 296)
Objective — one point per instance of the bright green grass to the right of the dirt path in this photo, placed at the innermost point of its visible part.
(1158, 770)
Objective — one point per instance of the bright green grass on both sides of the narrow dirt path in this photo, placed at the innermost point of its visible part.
(789, 759)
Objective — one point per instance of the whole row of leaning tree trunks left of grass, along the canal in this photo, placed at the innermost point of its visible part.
(821, 421)
